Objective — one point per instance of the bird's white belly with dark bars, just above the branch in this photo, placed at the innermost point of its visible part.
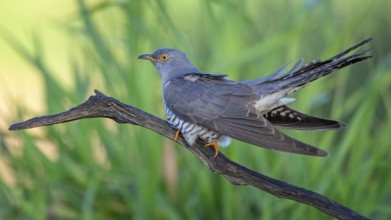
(192, 131)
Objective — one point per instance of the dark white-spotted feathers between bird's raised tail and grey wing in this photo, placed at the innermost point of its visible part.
(285, 117)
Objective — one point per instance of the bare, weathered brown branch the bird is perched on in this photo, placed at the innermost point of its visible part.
(102, 106)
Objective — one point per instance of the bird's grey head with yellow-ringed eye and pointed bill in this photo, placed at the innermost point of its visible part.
(170, 62)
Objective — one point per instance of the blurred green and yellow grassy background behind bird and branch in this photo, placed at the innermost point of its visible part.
(54, 53)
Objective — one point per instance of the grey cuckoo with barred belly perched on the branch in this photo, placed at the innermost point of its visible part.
(210, 107)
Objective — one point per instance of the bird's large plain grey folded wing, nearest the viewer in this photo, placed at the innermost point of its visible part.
(228, 108)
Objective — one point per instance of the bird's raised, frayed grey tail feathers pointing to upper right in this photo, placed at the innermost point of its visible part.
(298, 76)
